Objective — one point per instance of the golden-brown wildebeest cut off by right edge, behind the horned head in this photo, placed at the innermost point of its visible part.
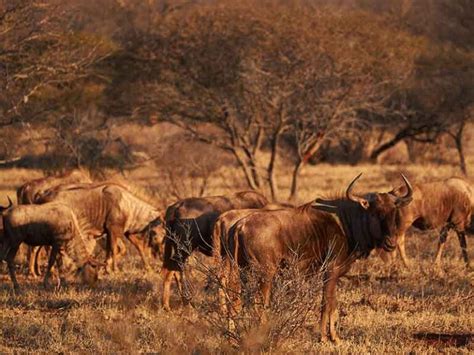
(446, 204)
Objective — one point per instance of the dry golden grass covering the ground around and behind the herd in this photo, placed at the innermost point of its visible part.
(383, 308)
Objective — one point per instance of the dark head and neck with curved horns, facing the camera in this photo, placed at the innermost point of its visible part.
(369, 222)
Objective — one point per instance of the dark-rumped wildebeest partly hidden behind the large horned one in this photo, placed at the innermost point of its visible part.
(189, 224)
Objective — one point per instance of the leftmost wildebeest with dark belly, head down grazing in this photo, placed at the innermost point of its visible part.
(51, 224)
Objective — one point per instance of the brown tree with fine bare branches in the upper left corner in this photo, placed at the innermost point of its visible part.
(48, 68)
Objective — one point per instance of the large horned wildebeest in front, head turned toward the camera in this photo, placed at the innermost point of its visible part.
(266, 240)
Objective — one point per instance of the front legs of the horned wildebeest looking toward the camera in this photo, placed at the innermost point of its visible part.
(329, 306)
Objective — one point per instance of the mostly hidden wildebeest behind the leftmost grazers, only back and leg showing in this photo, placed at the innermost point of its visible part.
(27, 193)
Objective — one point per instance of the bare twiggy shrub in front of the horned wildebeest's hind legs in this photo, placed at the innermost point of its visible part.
(294, 300)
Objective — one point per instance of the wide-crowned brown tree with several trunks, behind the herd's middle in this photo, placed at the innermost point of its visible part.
(249, 77)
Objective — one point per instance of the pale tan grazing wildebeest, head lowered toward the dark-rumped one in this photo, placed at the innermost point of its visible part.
(110, 208)
